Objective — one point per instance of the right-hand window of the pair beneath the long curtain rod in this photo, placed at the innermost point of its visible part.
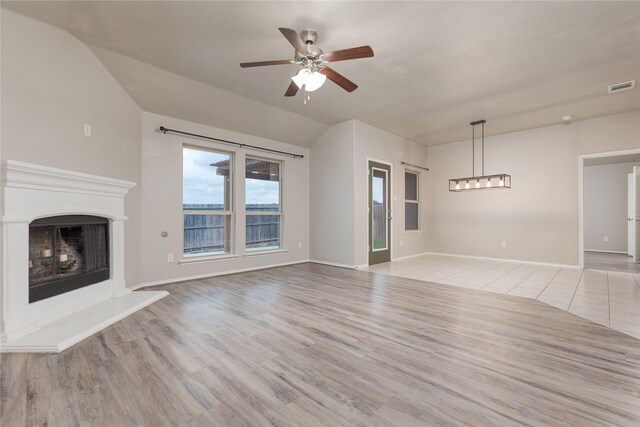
(263, 207)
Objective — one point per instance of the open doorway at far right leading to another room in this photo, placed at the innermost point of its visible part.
(610, 211)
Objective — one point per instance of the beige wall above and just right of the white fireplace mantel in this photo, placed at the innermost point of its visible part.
(52, 85)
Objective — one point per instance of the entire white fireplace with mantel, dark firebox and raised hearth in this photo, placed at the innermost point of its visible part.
(61, 231)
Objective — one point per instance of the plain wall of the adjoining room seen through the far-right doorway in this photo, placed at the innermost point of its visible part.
(605, 201)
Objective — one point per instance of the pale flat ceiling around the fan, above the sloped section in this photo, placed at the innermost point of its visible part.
(437, 65)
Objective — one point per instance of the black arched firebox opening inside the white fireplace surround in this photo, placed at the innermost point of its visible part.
(67, 252)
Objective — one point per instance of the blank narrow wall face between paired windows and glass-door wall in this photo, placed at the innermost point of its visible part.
(332, 196)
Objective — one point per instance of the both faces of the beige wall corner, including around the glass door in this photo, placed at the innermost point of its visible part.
(339, 188)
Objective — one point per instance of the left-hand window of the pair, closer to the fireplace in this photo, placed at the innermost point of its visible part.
(206, 201)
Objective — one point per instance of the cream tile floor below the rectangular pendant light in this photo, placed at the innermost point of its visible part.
(606, 297)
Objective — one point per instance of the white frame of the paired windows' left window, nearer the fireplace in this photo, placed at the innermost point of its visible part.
(228, 212)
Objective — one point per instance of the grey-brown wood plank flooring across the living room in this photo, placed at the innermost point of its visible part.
(310, 345)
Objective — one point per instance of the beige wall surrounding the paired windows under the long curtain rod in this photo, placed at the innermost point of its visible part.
(162, 201)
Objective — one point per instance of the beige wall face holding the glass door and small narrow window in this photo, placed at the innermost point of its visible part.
(372, 143)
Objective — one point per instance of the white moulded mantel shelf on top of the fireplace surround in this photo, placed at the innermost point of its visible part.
(14, 174)
